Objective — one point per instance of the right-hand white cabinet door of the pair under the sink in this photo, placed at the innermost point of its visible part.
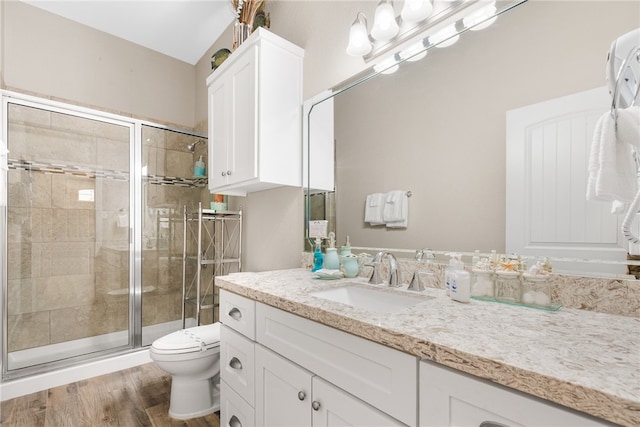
(335, 407)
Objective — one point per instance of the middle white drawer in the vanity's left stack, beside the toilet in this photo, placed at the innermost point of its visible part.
(237, 363)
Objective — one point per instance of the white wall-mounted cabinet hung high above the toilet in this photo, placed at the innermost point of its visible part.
(255, 104)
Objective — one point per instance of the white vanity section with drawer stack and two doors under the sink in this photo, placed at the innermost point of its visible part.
(309, 374)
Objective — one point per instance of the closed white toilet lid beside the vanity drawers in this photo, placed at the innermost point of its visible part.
(188, 340)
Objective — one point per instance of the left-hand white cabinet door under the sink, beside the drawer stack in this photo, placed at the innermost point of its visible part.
(283, 391)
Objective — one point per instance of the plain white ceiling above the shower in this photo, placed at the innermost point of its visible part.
(181, 29)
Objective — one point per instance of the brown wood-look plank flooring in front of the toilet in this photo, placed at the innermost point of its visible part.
(133, 397)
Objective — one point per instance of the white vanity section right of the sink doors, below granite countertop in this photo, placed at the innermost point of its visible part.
(449, 398)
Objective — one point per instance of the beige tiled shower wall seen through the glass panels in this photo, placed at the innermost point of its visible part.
(68, 257)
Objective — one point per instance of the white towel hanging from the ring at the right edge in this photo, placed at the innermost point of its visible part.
(612, 171)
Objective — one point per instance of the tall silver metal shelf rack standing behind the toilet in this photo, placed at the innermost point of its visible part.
(211, 247)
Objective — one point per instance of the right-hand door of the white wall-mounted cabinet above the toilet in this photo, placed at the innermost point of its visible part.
(242, 155)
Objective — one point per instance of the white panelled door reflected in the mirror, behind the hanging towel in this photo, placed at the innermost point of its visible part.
(547, 211)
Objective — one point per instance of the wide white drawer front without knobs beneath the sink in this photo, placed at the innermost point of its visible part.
(383, 377)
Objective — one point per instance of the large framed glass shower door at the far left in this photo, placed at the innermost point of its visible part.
(68, 234)
